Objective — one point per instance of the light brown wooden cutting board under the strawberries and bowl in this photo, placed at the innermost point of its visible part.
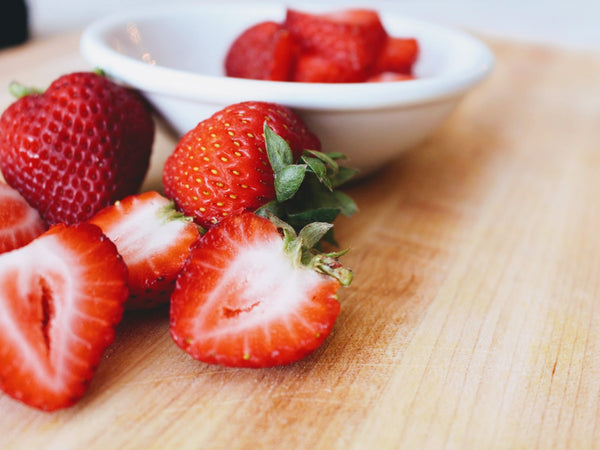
(473, 321)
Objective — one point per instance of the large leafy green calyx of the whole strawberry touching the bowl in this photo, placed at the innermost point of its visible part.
(307, 189)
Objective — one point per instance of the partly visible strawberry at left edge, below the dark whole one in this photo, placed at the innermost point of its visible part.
(19, 222)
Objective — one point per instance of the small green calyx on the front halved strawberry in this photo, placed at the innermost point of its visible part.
(300, 247)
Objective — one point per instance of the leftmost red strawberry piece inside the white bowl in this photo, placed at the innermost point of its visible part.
(265, 51)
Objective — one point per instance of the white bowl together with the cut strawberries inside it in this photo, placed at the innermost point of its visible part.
(369, 83)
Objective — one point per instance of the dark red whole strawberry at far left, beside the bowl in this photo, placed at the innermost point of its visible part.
(79, 146)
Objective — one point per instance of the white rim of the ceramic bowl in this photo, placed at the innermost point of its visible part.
(167, 81)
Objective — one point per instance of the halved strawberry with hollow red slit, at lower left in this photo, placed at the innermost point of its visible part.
(61, 297)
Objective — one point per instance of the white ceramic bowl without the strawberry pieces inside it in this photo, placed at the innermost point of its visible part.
(174, 55)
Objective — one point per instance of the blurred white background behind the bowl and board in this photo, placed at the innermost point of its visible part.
(572, 24)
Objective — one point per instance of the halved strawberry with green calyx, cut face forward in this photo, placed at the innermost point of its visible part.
(248, 298)
